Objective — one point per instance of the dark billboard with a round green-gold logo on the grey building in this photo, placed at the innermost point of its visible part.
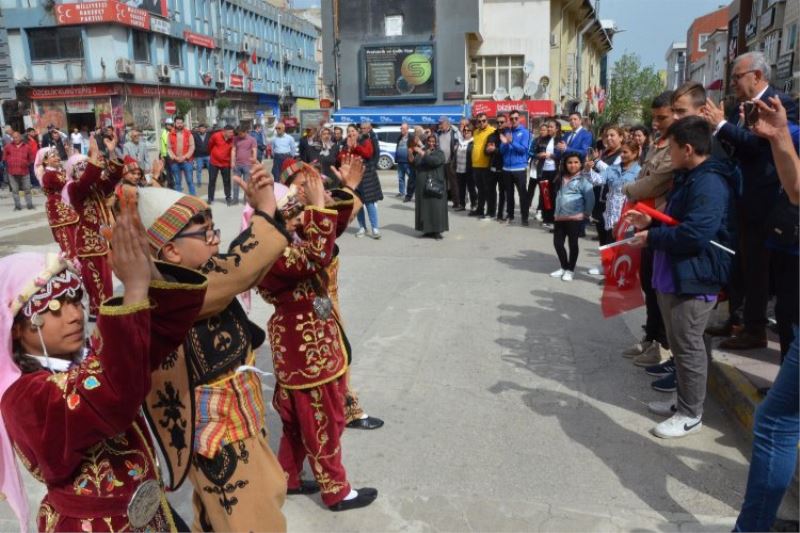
(398, 72)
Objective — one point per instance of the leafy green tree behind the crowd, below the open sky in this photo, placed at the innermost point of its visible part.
(630, 92)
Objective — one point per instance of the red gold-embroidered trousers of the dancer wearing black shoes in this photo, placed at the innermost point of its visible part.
(313, 422)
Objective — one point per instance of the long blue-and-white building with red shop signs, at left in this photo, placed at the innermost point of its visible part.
(91, 64)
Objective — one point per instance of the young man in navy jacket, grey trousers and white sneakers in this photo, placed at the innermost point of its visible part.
(688, 271)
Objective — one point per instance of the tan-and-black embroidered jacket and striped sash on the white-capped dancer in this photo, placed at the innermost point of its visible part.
(202, 403)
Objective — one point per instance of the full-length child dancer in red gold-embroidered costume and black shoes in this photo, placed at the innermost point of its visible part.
(309, 353)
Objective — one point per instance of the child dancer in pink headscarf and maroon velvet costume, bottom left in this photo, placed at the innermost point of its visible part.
(75, 423)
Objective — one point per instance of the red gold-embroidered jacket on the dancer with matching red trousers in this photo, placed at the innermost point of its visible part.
(307, 349)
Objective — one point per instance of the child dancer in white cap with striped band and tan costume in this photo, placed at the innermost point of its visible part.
(206, 404)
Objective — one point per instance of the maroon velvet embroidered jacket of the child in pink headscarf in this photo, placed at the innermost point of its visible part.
(81, 433)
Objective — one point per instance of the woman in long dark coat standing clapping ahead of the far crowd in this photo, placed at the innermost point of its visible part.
(430, 212)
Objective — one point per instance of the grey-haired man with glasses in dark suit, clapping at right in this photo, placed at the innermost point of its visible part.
(759, 195)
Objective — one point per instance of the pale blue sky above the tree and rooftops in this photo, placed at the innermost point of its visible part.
(650, 25)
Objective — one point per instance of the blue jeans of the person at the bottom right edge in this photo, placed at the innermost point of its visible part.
(775, 435)
